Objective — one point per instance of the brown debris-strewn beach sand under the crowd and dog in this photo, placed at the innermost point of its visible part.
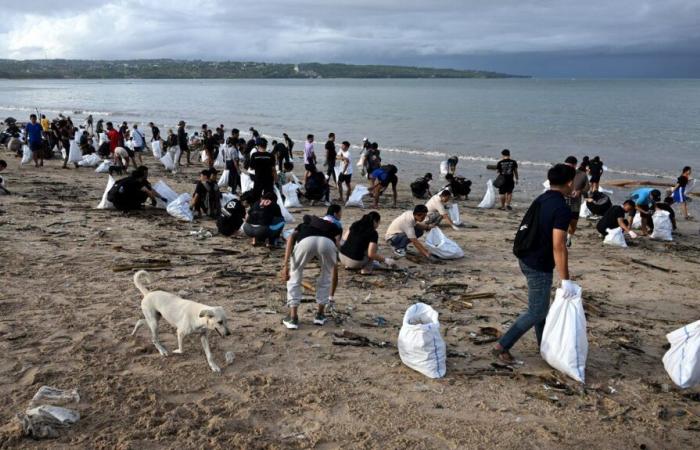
(66, 319)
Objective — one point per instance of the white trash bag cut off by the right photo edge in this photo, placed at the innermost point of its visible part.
(682, 360)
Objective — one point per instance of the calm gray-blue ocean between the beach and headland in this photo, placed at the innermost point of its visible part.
(639, 128)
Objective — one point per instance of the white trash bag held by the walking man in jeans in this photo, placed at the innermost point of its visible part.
(564, 342)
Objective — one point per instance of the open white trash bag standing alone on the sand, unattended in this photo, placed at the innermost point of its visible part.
(421, 346)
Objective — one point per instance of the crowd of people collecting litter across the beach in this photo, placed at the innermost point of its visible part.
(254, 210)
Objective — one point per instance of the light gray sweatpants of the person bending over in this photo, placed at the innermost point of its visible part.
(309, 248)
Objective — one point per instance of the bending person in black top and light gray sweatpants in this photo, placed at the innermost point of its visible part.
(315, 238)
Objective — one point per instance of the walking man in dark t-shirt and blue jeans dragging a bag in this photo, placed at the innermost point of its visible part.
(546, 251)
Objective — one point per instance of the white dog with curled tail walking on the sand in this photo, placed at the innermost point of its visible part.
(187, 316)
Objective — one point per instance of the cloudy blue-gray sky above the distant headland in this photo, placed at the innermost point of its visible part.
(577, 39)
